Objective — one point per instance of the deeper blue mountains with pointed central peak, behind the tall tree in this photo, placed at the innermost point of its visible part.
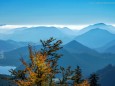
(88, 59)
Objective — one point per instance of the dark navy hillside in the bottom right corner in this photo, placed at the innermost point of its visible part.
(107, 76)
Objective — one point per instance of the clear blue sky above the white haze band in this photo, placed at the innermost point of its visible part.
(65, 12)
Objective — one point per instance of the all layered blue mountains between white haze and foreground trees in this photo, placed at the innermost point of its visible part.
(92, 48)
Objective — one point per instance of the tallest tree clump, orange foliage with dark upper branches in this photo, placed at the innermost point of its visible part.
(42, 67)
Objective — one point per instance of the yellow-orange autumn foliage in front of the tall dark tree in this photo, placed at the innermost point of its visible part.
(38, 72)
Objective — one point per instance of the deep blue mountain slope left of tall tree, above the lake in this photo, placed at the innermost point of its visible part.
(12, 58)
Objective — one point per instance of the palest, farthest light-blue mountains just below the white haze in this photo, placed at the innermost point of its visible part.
(93, 36)
